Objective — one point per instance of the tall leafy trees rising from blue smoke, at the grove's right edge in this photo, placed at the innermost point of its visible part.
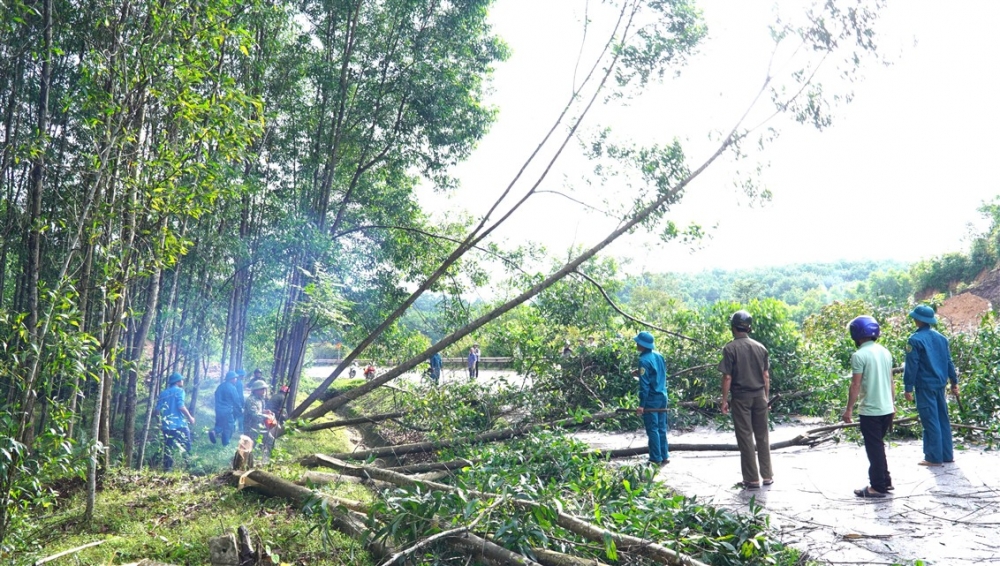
(392, 93)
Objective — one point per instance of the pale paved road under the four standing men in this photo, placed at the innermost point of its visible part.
(945, 516)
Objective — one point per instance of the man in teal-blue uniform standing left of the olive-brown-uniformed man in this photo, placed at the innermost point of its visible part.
(652, 374)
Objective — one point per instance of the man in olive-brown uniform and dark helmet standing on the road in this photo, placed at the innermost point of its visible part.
(745, 368)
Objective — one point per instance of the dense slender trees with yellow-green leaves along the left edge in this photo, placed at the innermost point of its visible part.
(135, 123)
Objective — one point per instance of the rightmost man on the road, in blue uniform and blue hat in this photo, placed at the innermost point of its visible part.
(928, 368)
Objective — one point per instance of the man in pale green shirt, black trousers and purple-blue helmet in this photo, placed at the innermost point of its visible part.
(871, 384)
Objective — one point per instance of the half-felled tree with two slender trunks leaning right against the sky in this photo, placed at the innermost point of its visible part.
(665, 175)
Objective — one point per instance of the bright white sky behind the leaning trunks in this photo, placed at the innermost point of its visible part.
(899, 175)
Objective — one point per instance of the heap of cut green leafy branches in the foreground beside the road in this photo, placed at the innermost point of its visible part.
(555, 472)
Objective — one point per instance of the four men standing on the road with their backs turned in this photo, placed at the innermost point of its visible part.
(746, 384)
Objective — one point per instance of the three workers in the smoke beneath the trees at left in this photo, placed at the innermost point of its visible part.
(255, 415)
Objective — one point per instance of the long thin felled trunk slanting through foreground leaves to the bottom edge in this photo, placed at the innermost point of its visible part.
(644, 547)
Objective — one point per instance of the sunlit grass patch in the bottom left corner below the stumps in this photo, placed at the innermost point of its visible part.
(171, 517)
